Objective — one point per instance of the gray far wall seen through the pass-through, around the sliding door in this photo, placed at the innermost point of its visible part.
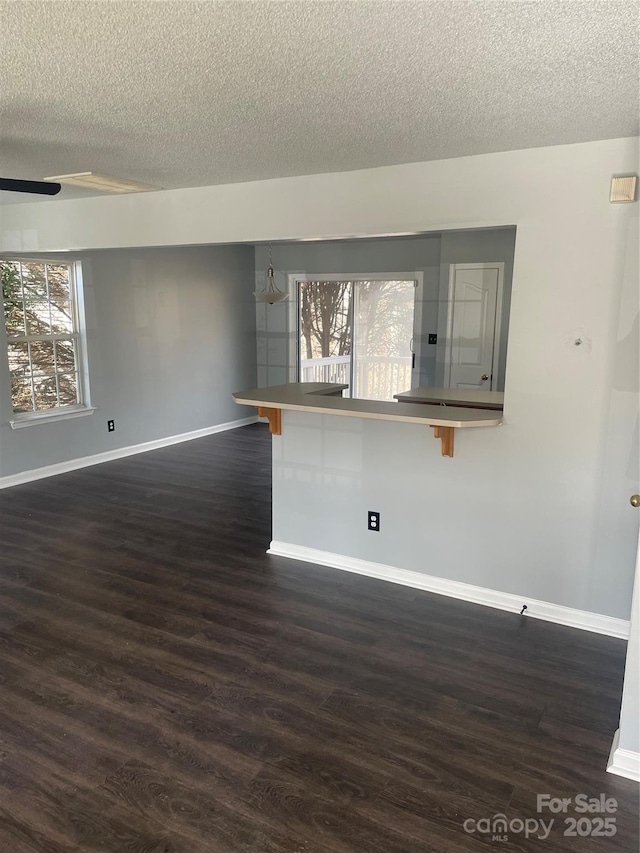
(429, 254)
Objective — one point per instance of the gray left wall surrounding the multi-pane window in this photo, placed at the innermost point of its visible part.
(170, 335)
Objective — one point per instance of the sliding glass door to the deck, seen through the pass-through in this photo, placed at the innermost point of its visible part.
(357, 333)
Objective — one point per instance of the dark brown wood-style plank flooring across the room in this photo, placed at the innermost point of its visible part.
(167, 687)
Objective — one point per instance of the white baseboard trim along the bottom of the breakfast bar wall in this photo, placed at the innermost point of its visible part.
(545, 610)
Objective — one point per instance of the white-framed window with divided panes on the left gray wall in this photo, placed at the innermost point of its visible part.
(44, 337)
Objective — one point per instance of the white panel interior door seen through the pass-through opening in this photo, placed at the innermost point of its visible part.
(475, 297)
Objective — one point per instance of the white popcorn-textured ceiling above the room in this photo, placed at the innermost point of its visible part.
(182, 94)
